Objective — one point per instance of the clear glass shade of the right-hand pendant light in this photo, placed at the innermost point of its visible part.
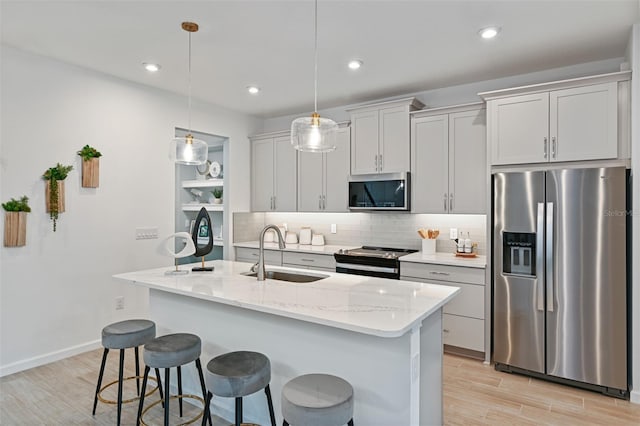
(314, 134)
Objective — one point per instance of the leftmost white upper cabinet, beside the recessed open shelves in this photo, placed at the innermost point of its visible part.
(273, 173)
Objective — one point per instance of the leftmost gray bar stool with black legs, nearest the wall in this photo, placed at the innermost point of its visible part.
(124, 335)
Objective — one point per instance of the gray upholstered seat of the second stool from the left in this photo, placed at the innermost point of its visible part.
(172, 350)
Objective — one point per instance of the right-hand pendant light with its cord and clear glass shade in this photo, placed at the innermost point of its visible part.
(314, 134)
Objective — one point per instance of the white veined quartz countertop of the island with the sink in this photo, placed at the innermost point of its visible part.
(375, 306)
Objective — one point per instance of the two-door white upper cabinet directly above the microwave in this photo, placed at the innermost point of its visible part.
(380, 137)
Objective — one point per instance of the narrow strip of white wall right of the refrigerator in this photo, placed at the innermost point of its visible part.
(634, 60)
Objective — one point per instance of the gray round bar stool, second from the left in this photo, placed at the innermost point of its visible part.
(172, 350)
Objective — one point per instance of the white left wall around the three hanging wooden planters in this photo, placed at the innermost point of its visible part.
(56, 293)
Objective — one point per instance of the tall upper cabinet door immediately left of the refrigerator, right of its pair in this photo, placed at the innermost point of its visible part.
(467, 162)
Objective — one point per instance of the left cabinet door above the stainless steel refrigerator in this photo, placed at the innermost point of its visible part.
(519, 129)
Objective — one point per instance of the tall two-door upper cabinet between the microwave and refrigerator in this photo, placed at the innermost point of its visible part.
(449, 166)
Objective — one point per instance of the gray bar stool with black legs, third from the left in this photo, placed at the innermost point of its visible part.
(238, 374)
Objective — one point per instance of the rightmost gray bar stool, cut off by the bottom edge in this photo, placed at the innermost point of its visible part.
(317, 400)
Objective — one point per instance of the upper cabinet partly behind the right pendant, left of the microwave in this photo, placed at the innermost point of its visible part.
(322, 178)
